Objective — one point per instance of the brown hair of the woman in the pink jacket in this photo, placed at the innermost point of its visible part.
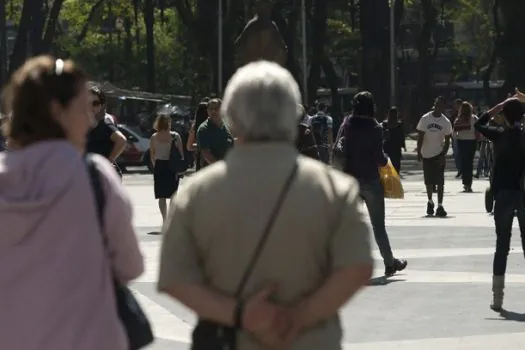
(28, 96)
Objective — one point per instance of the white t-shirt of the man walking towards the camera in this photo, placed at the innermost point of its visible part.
(435, 129)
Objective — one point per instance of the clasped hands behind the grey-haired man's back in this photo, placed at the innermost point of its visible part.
(273, 325)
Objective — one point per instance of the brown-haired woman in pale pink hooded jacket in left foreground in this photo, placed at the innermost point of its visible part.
(56, 290)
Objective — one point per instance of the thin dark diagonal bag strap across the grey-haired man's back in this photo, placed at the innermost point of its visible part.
(266, 232)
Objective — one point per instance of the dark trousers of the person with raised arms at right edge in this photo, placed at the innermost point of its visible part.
(506, 203)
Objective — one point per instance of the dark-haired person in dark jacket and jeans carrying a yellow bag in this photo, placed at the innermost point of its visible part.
(363, 149)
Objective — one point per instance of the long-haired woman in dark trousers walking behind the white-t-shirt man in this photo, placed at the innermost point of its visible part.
(465, 136)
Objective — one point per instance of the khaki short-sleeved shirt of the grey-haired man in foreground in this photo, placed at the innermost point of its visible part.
(319, 229)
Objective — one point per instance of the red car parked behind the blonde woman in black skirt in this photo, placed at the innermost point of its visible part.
(137, 149)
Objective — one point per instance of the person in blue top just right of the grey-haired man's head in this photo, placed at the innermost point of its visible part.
(321, 125)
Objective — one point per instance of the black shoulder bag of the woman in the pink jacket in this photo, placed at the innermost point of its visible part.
(133, 319)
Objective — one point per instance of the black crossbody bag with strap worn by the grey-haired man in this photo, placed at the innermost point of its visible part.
(209, 335)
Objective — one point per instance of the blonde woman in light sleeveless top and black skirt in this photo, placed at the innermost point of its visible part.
(162, 143)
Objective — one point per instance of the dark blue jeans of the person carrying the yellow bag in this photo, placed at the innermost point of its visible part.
(374, 197)
